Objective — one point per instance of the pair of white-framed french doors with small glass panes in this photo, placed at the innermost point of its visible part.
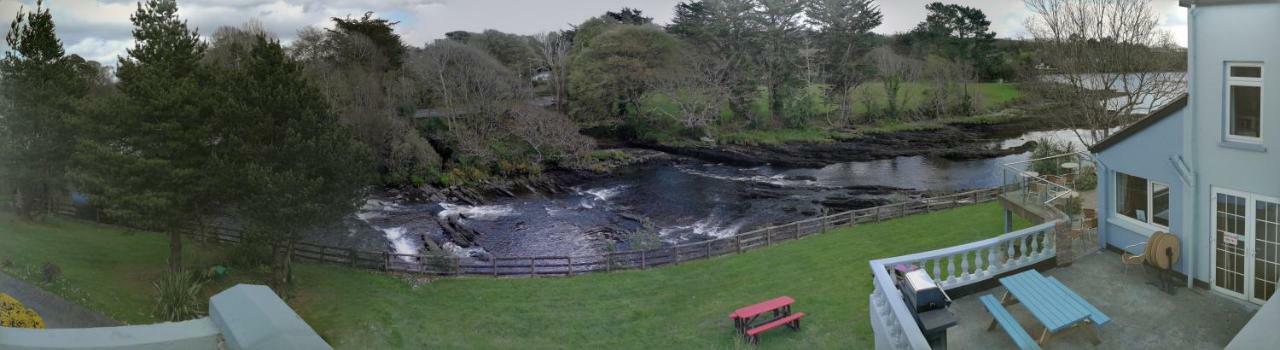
(1246, 244)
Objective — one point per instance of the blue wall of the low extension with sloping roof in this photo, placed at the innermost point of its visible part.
(1146, 154)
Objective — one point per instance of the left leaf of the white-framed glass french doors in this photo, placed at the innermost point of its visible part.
(1231, 234)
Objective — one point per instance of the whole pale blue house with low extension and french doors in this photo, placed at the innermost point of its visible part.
(1208, 167)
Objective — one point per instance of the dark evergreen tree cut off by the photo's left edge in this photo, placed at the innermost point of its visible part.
(40, 88)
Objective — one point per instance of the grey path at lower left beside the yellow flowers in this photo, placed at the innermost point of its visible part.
(57, 312)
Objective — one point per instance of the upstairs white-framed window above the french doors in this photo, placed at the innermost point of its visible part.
(1245, 102)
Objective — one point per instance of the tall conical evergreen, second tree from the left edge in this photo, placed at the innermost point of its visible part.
(152, 162)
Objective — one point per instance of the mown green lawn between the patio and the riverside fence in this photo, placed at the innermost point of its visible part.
(683, 307)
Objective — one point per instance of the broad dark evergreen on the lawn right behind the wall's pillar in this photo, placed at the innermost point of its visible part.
(301, 169)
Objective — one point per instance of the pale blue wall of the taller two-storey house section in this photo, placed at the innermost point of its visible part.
(1222, 34)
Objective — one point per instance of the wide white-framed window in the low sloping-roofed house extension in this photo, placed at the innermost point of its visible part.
(1142, 201)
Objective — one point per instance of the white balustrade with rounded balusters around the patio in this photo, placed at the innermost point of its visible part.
(953, 267)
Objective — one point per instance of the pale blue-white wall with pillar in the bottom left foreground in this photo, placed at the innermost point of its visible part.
(241, 319)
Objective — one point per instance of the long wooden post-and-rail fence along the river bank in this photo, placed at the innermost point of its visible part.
(609, 262)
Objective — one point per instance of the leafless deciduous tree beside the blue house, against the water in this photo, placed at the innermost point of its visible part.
(1100, 49)
